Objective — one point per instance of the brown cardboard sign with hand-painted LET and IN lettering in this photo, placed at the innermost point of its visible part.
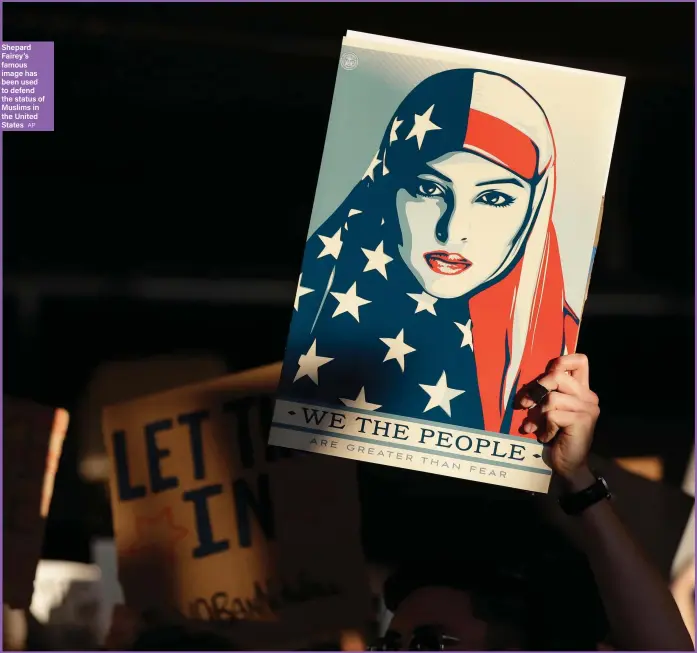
(213, 523)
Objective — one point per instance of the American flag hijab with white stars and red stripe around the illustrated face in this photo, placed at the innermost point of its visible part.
(365, 333)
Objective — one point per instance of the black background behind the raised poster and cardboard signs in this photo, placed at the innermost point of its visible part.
(165, 112)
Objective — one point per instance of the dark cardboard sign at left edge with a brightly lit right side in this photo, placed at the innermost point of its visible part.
(33, 440)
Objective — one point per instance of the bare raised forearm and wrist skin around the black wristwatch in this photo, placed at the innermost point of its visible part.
(640, 608)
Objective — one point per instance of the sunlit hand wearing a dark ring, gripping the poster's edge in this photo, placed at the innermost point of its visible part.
(566, 418)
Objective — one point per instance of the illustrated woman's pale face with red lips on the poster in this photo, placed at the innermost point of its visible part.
(459, 220)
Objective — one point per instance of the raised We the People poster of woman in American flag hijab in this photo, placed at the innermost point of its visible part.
(448, 257)
